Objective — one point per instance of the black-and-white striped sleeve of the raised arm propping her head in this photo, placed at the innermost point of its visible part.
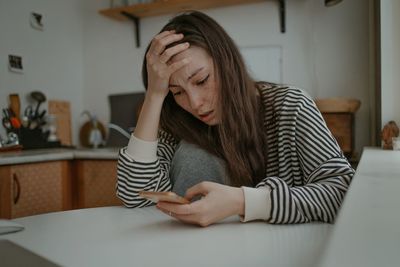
(134, 173)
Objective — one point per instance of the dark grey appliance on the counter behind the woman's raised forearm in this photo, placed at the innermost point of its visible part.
(124, 110)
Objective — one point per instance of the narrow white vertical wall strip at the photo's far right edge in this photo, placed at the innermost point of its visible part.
(390, 64)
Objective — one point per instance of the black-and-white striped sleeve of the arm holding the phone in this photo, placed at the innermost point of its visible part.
(326, 173)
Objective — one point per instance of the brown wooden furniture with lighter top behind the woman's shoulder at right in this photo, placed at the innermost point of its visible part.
(338, 114)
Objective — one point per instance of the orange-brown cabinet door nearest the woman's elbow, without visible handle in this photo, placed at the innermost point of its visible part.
(96, 181)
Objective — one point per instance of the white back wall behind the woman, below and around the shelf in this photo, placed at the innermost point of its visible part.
(325, 50)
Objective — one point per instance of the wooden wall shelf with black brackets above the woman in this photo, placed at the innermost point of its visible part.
(162, 7)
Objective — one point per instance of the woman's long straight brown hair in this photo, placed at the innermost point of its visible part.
(239, 138)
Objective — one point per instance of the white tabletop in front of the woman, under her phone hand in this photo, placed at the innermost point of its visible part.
(117, 236)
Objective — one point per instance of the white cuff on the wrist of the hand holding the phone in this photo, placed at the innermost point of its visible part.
(257, 203)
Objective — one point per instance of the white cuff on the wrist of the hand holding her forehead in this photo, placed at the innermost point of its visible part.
(142, 151)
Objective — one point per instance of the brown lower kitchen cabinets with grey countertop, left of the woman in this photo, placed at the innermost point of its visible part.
(41, 181)
